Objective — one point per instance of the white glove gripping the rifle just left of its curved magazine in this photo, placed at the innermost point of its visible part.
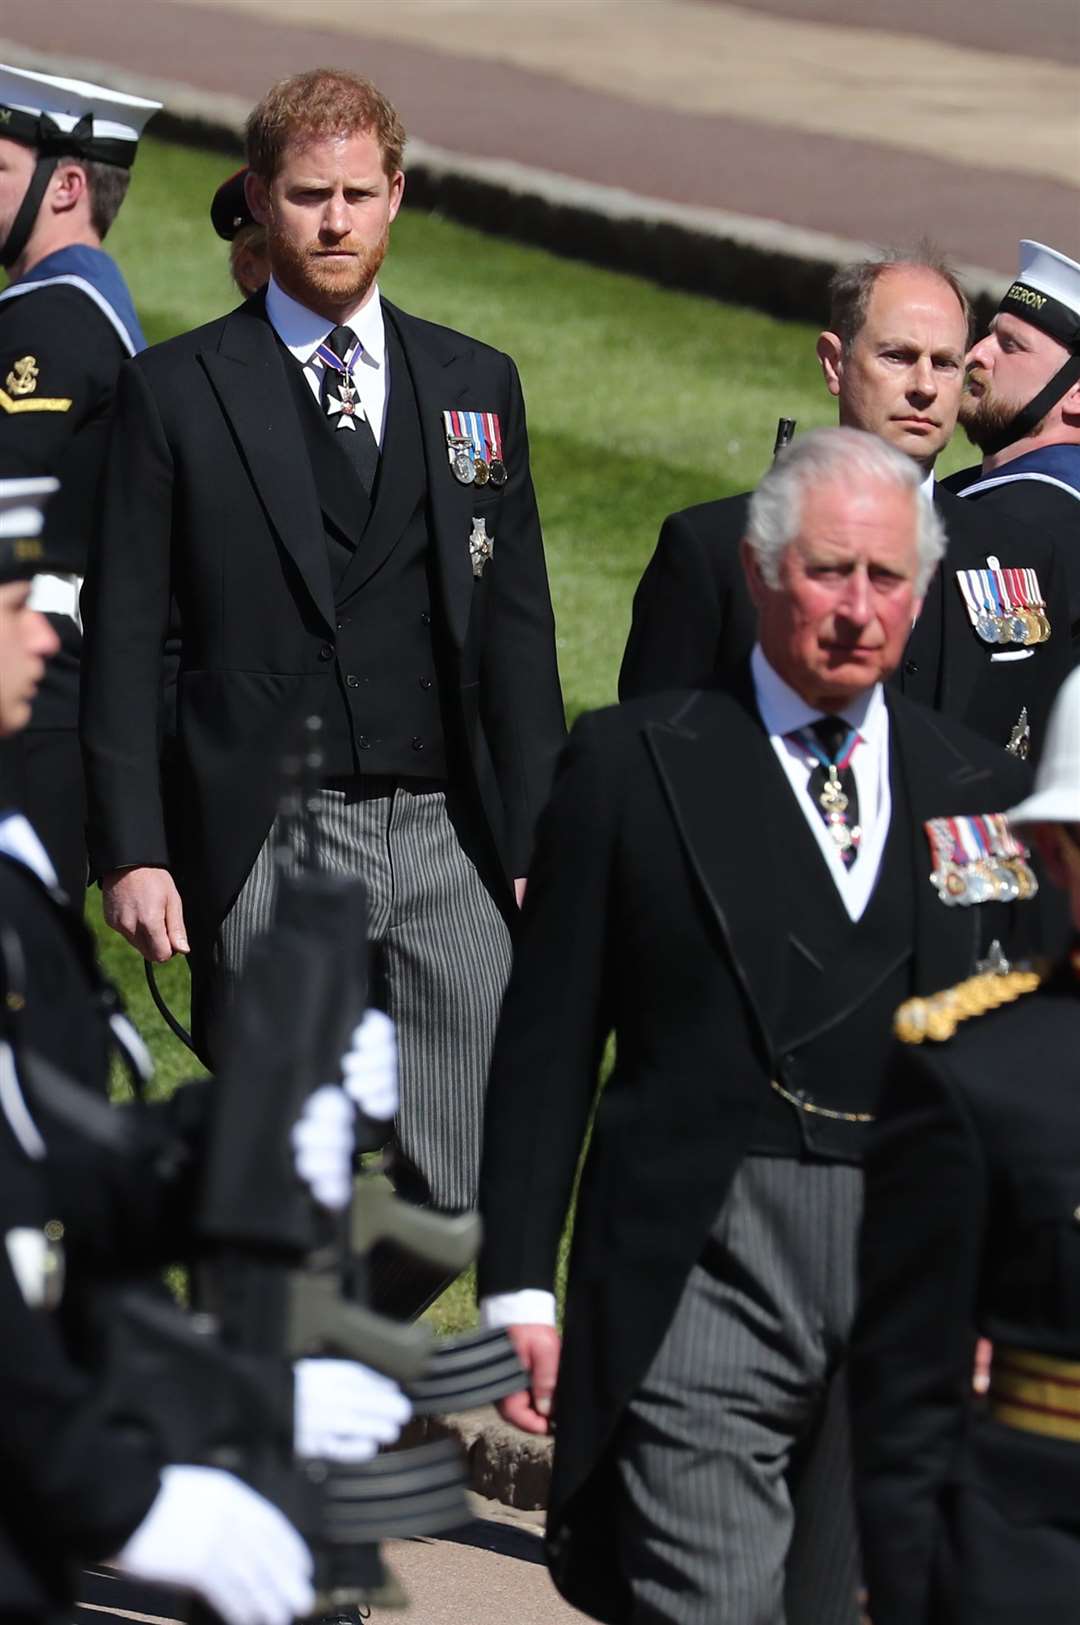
(343, 1411)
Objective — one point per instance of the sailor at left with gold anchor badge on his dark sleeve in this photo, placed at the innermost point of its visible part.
(67, 323)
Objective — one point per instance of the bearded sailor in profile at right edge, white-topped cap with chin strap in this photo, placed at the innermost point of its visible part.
(1022, 409)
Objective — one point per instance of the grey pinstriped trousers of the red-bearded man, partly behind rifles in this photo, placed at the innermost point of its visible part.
(443, 958)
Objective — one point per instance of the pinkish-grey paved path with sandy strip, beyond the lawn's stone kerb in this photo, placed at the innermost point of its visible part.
(811, 113)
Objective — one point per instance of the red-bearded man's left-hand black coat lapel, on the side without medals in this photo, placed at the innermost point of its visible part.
(249, 379)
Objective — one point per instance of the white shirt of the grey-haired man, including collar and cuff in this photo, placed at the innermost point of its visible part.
(784, 711)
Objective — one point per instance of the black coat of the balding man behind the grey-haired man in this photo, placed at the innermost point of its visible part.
(694, 618)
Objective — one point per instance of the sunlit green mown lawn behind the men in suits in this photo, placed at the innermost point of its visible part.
(641, 402)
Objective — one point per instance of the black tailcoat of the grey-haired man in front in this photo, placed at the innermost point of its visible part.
(654, 912)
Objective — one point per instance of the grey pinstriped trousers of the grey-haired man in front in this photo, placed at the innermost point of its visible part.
(735, 1457)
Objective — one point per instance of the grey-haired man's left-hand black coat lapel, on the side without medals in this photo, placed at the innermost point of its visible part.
(717, 768)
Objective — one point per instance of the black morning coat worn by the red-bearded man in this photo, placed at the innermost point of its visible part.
(212, 503)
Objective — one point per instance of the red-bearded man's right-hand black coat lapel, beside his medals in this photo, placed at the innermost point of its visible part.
(441, 379)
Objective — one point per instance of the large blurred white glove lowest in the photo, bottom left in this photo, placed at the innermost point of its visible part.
(212, 1535)
